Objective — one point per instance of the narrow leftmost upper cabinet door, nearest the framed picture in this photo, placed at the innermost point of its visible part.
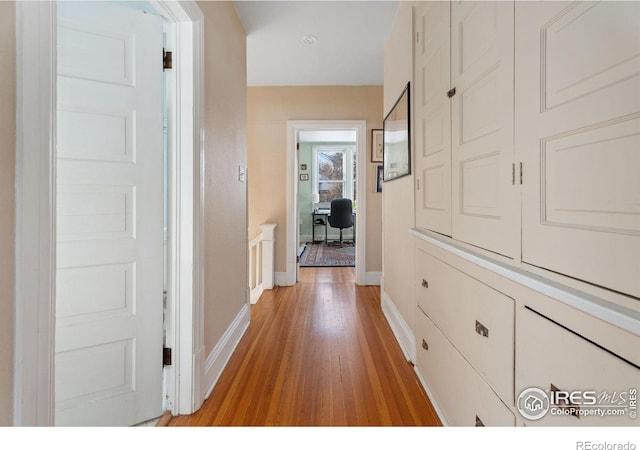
(433, 117)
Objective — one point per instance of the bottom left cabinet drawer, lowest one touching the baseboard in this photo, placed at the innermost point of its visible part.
(463, 396)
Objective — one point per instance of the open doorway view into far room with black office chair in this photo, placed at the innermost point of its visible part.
(327, 163)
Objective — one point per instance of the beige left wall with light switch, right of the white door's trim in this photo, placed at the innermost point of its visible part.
(226, 281)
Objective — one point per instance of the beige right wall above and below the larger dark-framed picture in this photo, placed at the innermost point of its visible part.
(398, 204)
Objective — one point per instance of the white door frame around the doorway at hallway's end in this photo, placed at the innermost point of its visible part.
(293, 127)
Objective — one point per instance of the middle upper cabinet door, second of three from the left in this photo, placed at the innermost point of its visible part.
(484, 200)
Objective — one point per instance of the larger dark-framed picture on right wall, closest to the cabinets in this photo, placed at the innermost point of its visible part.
(397, 138)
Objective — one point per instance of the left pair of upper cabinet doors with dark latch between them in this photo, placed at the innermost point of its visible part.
(464, 123)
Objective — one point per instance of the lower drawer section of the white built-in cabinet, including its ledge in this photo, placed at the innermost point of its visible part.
(484, 334)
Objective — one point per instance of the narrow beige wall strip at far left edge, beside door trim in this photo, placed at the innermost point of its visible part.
(7, 206)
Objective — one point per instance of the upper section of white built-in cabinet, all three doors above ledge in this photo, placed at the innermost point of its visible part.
(527, 133)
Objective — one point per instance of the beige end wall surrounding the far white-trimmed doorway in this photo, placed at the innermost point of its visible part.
(269, 108)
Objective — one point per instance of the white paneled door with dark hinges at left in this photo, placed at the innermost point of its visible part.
(109, 296)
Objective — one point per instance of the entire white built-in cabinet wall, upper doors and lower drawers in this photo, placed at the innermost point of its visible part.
(527, 151)
